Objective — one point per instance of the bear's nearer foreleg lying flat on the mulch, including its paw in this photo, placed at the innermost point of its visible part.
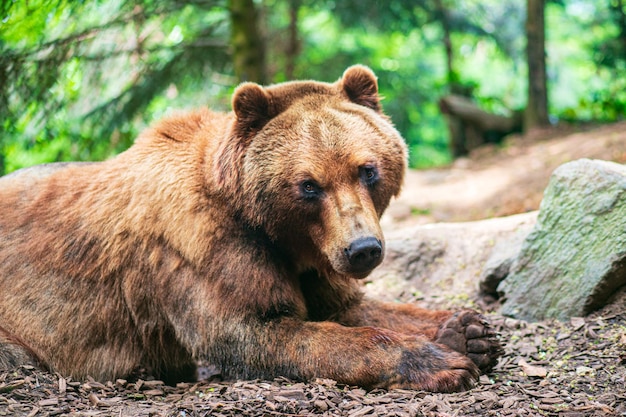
(365, 356)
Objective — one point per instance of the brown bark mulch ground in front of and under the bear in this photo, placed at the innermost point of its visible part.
(570, 369)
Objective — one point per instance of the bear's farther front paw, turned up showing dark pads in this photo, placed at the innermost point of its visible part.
(469, 333)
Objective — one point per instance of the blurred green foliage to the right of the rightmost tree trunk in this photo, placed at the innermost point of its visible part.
(591, 78)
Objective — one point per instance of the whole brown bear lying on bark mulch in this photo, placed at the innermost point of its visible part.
(235, 238)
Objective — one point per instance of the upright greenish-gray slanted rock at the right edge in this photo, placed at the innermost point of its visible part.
(575, 258)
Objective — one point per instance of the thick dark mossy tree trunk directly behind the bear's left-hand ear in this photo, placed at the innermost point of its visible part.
(248, 46)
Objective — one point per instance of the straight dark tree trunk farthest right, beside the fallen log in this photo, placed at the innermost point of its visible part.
(536, 114)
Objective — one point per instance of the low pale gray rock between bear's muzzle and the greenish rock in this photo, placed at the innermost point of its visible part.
(439, 265)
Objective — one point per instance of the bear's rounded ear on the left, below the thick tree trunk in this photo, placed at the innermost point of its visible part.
(252, 108)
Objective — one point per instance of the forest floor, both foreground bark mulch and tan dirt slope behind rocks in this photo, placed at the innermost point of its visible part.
(549, 368)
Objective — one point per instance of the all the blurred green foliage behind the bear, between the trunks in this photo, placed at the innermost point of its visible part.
(79, 79)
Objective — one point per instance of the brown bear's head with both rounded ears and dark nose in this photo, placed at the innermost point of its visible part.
(314, 165)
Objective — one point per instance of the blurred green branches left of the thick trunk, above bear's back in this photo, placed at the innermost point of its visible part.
(78, 76)
